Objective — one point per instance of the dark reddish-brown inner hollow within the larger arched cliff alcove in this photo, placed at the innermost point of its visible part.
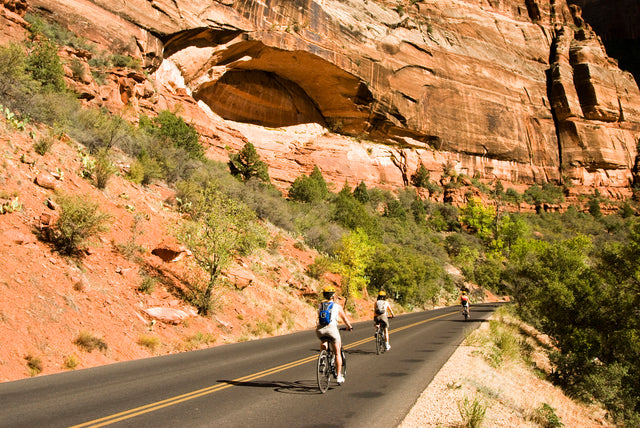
(259, 97)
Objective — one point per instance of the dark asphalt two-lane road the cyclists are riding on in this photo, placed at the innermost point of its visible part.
(262, 383)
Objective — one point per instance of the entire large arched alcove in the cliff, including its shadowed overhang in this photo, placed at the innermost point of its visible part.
(244, 80)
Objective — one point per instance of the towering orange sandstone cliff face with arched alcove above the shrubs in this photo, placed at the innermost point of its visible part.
(518, 90)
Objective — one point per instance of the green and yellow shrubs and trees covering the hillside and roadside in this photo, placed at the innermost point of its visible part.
(573, 274)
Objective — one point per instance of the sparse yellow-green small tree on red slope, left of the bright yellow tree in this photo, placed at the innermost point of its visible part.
(225, 229)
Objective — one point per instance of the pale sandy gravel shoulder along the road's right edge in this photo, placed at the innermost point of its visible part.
(512, 393)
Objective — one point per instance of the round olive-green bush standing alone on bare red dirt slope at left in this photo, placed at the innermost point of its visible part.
(79, 221)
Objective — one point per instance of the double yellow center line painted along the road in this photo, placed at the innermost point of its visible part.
(117, 417)
